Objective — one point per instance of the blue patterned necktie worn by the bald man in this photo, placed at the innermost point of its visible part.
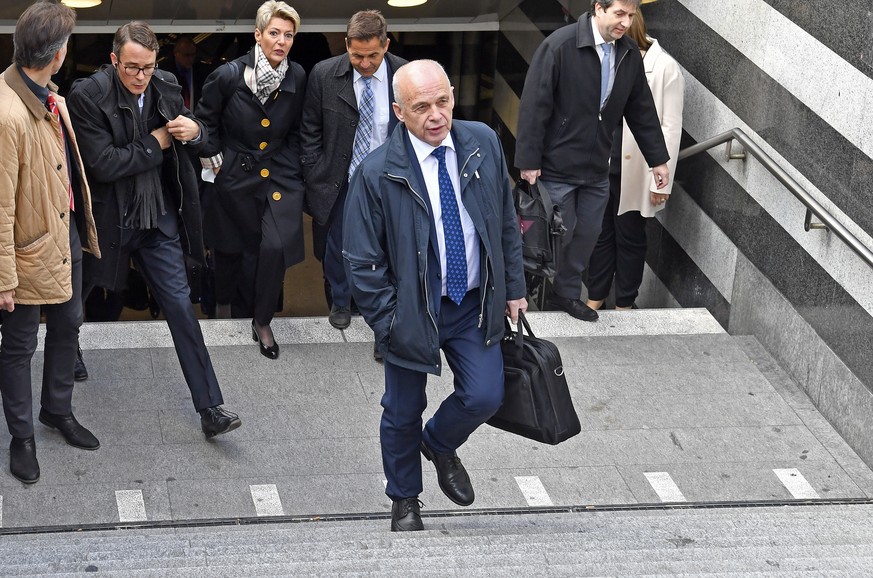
(456, 254)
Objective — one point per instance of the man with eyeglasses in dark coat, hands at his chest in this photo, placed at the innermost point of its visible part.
(134, 129)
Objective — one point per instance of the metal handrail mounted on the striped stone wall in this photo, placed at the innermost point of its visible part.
(813, 207)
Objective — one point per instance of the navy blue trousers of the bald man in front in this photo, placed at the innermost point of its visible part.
(478, 372)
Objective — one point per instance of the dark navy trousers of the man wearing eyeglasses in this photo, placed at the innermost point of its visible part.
(159, 259)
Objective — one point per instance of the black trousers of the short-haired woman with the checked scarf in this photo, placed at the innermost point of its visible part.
(252, 280)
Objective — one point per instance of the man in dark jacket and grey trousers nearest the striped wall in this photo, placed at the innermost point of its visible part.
(583, 79)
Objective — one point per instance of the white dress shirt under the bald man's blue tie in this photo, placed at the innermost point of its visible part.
(429, 170)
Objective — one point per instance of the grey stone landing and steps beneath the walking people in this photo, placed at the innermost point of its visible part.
(672, 408)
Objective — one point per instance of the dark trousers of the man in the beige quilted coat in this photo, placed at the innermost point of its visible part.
(18, 342)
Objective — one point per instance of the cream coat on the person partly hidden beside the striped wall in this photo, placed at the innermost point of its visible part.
(668, 87)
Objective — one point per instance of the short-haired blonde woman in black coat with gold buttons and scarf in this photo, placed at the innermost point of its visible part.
(253, 213)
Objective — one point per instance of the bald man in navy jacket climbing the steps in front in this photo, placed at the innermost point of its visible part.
(433, 253)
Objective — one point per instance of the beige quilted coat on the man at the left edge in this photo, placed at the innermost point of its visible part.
(34, 200)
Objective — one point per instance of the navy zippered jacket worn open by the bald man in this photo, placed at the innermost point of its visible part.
(388, 246)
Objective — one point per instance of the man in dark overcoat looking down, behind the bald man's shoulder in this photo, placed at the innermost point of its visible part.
(331, 123)
